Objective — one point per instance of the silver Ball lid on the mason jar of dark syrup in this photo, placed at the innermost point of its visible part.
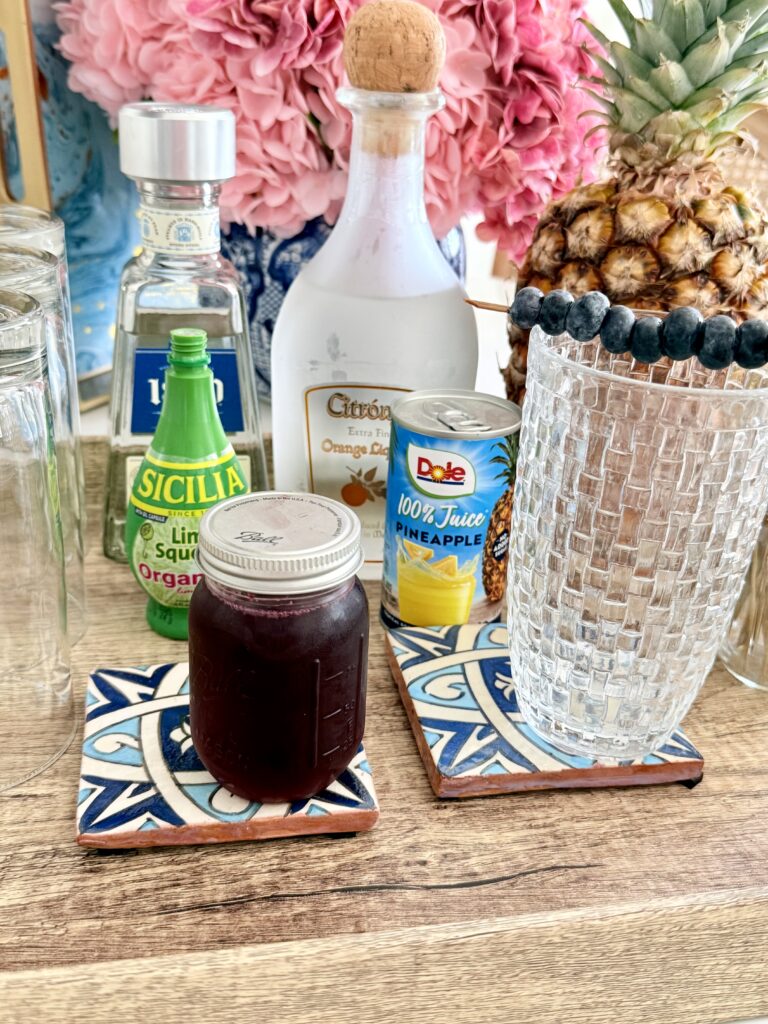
(280, 543)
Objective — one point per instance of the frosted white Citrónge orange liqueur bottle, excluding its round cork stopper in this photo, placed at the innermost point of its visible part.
(376, 314)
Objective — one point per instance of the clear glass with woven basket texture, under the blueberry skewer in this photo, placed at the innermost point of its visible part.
(641, 494)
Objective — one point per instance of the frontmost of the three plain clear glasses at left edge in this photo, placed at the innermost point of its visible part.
(37, 719)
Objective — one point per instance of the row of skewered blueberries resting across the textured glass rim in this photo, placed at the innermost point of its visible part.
(716, 342)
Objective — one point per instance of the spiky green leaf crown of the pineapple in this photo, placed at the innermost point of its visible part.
(693, 71)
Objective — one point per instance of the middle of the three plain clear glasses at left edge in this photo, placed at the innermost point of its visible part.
(37, 274)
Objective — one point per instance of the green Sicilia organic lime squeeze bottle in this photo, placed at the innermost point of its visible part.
(189, 467)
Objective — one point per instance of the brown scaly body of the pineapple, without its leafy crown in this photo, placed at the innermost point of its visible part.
(695, 242)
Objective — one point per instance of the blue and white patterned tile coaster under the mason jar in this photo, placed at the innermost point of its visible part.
(142, 783)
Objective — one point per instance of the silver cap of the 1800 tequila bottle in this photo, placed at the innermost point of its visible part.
(177, 143)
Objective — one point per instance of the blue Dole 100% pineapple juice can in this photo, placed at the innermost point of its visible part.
(452, 473)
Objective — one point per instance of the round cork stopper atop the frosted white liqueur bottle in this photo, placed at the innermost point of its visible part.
(395, 47)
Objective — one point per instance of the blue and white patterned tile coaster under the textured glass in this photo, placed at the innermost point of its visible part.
(455, 682)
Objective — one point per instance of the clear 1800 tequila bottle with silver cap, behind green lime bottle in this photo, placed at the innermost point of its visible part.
(179, 156)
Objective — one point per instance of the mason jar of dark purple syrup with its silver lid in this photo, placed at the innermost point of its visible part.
(278, 646)
